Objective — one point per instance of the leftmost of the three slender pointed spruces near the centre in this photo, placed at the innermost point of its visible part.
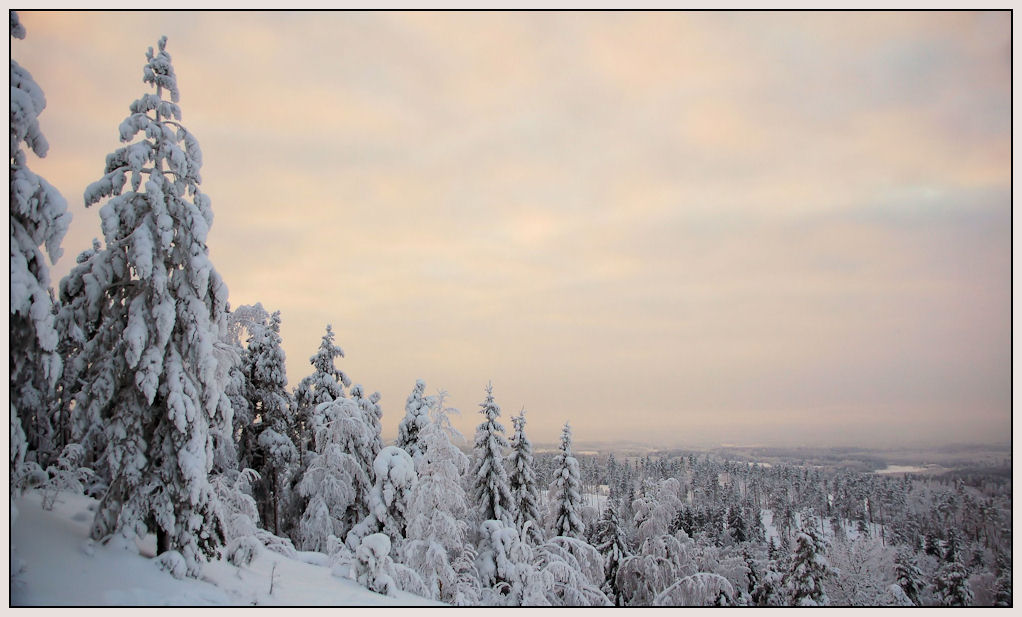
(490, 481)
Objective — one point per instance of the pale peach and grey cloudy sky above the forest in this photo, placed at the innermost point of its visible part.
(671, 228)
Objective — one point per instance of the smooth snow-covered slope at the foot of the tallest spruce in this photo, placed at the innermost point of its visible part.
(64, 567)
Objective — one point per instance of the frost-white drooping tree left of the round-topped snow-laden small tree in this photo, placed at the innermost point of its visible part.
(336, 484)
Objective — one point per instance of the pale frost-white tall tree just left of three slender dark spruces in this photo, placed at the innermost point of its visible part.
(437, 508)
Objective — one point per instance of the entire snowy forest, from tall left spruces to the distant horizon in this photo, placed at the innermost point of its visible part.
(137, 384)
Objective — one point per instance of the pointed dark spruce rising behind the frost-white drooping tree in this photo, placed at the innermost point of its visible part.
(326, 385)
